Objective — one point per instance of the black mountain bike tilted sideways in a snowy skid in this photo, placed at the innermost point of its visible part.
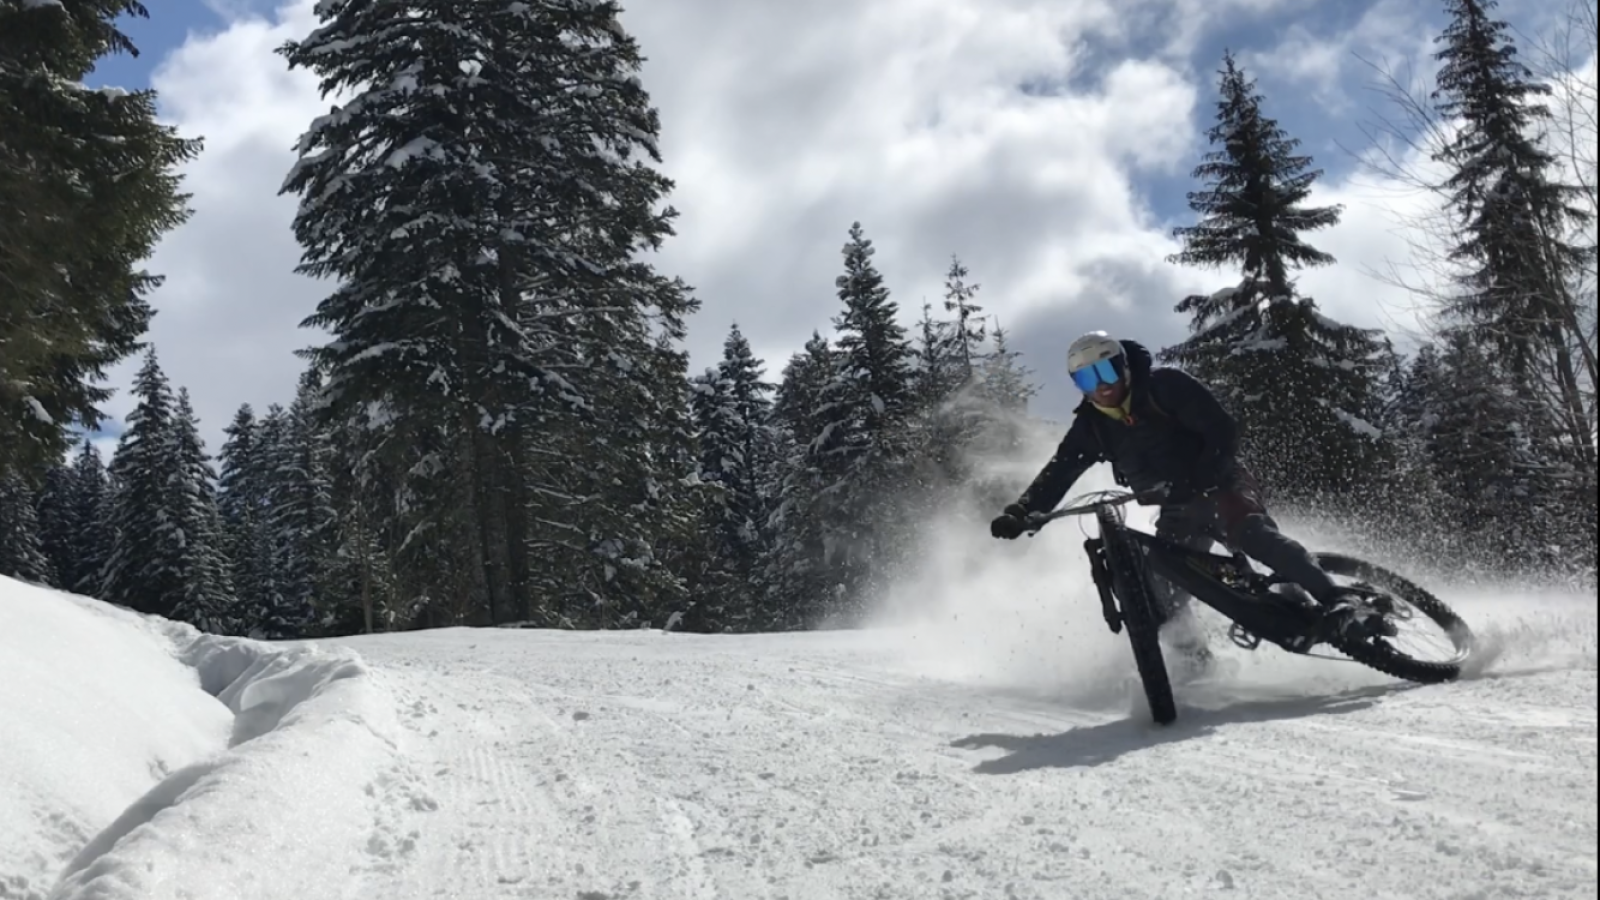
(1263, 608)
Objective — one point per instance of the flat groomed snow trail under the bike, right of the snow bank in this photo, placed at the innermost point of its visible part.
(825, 766)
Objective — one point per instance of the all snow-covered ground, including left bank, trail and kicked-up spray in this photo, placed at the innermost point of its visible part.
(985, 741)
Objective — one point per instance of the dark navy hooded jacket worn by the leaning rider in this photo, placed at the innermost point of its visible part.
(1185, 440)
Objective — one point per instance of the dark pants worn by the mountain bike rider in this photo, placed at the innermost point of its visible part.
(1239, 521)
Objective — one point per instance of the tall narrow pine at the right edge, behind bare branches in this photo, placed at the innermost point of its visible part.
(1516, 223)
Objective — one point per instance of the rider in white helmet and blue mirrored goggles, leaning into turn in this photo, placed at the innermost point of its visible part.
(1162, 427)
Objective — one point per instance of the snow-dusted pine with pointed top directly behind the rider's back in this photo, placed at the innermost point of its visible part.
(1303, 387)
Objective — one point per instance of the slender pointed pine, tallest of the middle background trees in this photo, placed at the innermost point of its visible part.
(863, 448)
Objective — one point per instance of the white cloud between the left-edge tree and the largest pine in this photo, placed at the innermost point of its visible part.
(230, 311)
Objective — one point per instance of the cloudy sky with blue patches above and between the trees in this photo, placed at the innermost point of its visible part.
(1049, 143)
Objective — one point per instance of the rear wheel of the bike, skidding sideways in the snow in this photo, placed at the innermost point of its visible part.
(1410, 598)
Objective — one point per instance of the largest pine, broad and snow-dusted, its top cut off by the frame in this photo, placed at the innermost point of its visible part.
(486, 220)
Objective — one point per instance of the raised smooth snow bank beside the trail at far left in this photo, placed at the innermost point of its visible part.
(143, 760)
